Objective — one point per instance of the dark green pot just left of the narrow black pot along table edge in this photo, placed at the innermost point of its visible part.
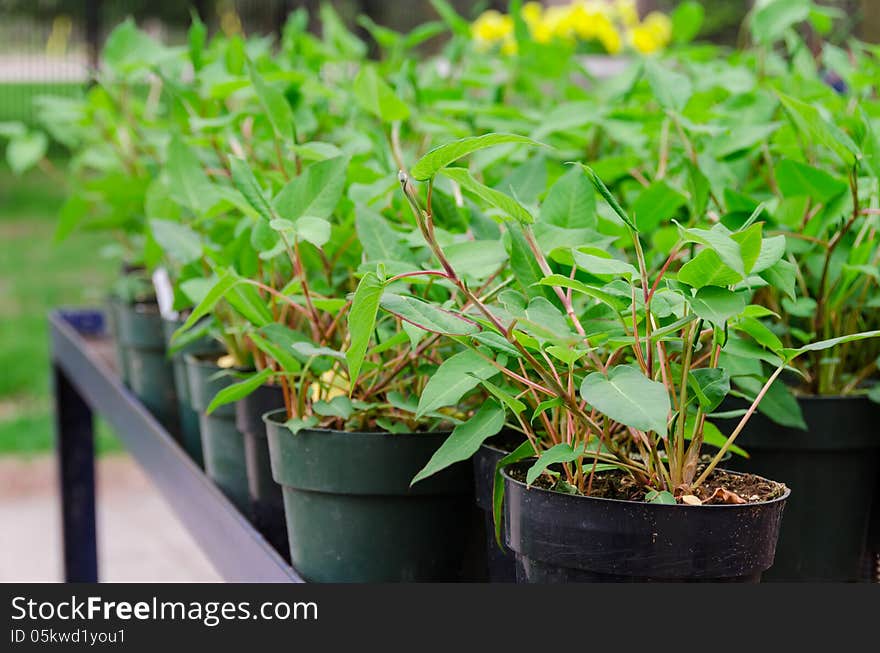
(222, 442)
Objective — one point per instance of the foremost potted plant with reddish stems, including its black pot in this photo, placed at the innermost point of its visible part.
(622, 405)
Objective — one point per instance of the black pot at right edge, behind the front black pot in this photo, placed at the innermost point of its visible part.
(833, 470)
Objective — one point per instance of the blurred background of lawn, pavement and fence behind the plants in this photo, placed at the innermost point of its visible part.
(50, 47)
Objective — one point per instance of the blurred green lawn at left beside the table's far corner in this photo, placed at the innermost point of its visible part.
(37, 274)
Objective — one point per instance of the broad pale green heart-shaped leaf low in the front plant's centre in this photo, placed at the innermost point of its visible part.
(629, 397)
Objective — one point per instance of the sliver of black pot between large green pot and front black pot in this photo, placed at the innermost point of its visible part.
(500, 562)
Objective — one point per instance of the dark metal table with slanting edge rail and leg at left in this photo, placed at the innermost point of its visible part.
(85, 382)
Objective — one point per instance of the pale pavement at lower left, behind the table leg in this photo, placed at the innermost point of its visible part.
(139, 538)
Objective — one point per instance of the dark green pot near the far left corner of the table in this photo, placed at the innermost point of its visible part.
(150, 374)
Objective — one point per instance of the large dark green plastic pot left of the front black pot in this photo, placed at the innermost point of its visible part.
(352, 515)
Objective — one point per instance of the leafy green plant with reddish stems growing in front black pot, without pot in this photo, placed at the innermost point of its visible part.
(610, 364)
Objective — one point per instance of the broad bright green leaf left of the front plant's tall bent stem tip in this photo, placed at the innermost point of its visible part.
(315, 193)
